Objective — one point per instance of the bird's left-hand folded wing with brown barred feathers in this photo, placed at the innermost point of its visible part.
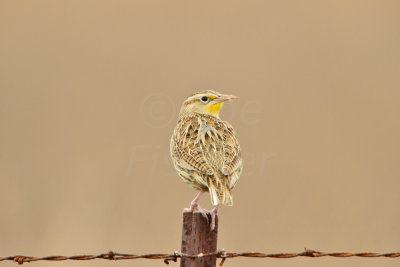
(186, 147)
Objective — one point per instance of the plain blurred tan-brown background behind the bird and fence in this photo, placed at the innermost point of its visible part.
(89, 94)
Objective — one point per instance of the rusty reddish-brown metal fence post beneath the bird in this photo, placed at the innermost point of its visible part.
(197, 238)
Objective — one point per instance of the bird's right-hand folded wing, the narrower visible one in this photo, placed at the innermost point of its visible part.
(231, 152)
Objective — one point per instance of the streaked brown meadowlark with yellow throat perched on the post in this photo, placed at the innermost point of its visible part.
(205, 150)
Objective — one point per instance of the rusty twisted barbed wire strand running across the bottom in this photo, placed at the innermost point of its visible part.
(222, 254)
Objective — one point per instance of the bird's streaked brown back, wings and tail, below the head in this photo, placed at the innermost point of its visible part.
(206, 153)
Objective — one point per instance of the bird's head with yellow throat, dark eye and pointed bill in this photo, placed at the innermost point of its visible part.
(205, 102)
